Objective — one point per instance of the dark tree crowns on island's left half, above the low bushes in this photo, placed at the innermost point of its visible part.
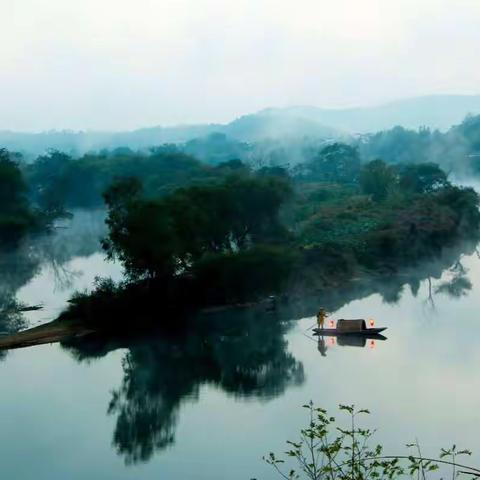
(164, 236)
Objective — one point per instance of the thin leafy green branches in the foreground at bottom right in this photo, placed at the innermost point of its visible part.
(327, 451)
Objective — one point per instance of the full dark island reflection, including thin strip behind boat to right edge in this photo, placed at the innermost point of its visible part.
(243, 353)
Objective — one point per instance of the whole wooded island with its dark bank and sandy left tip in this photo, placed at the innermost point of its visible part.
(231, 235)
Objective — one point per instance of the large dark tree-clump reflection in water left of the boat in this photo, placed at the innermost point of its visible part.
(244, 355)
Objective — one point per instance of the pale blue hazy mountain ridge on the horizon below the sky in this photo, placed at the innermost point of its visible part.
(435, 111)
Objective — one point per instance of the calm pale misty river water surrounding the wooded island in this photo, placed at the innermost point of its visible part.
(212, 404)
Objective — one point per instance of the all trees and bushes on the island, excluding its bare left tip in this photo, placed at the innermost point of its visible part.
(252, 234)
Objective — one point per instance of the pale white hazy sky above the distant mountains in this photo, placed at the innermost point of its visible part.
(121, 64)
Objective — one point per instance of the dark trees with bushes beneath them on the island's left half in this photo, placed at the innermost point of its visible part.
(222, 241)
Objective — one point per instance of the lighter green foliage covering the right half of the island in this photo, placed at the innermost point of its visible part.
(401, 228)
